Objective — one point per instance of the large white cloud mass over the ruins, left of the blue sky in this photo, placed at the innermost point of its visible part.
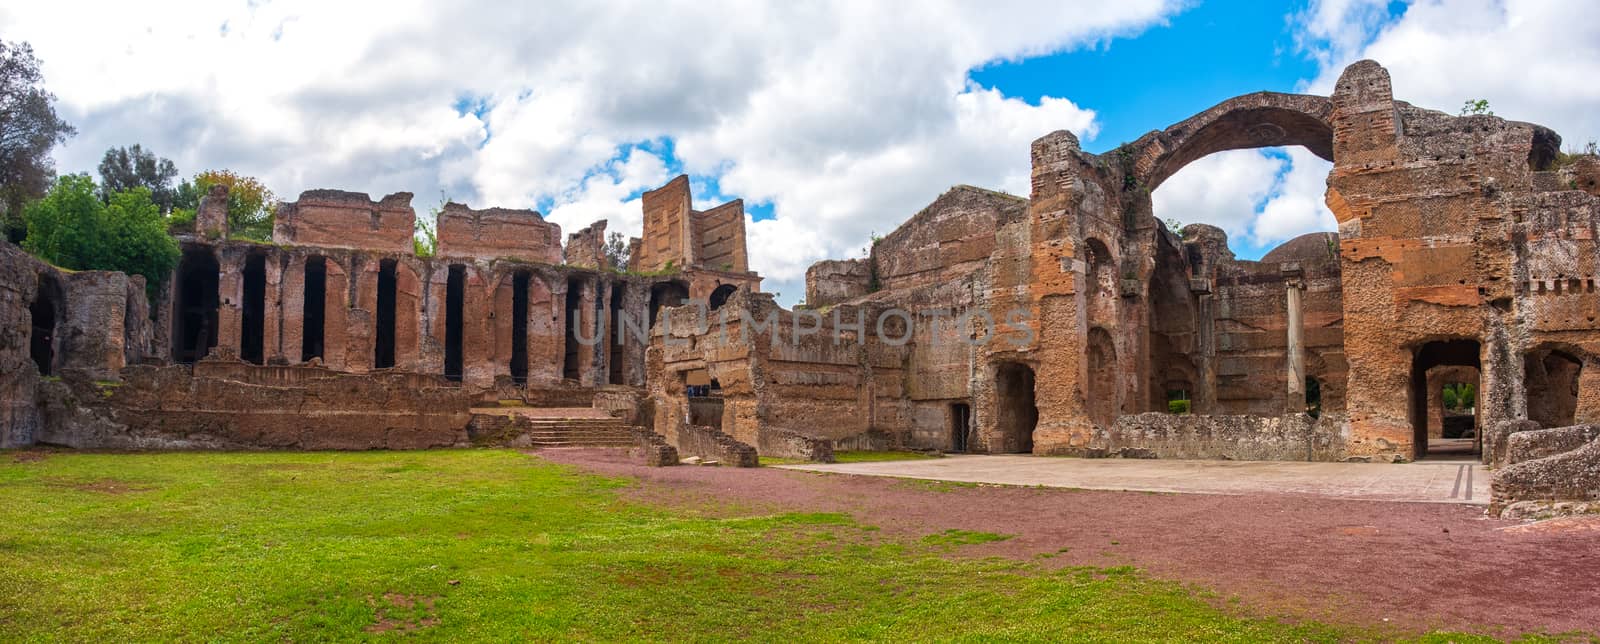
(844, 116)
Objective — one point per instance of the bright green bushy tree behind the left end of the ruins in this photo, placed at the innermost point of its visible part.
(74, 230)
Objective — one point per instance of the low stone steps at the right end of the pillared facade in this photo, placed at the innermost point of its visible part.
(550, 427)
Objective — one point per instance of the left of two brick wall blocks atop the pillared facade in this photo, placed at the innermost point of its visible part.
(346, 220)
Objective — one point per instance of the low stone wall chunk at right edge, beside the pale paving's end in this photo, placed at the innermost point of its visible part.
(1564, 478)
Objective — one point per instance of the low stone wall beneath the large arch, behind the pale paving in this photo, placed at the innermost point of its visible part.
(1289, 438)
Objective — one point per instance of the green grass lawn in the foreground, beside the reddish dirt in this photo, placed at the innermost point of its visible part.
(498, 545)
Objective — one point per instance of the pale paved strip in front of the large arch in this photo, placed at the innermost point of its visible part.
(1418, 483)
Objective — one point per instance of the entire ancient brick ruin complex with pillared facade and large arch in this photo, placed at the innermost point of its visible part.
(1065, 323)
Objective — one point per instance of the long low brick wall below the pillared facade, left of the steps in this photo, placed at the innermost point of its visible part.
(170, 408)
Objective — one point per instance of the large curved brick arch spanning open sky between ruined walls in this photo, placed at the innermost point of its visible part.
(1265, 119)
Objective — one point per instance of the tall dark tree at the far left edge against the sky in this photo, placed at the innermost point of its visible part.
(30, 129)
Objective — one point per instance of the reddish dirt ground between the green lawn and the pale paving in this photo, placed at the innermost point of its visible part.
(1415, 566)
